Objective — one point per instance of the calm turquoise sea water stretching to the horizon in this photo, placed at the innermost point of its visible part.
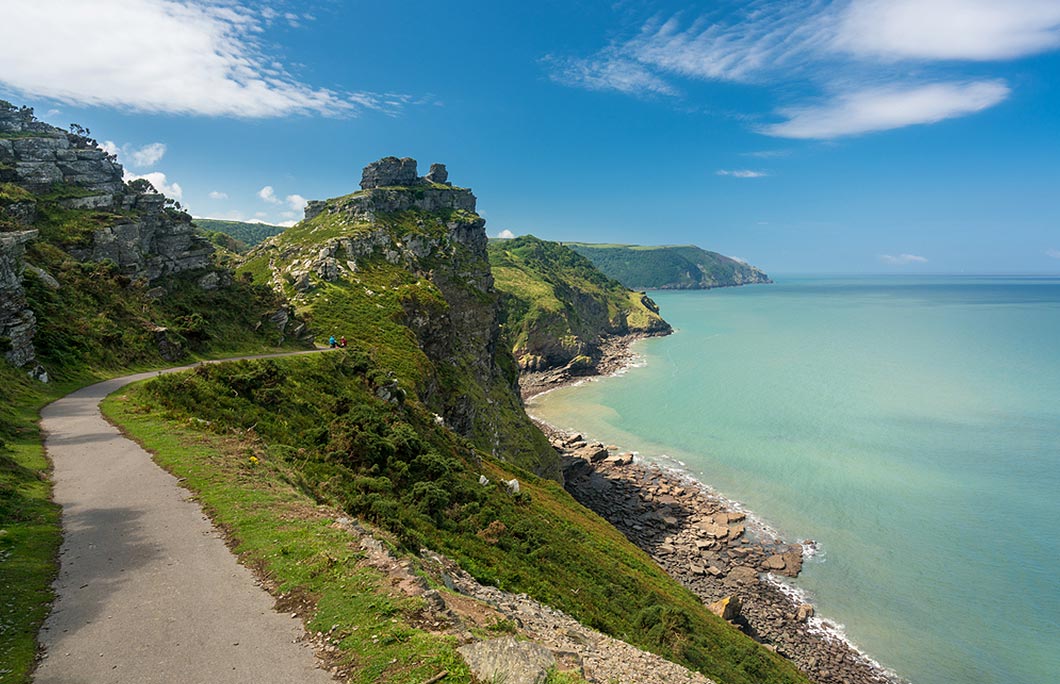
(912, 427)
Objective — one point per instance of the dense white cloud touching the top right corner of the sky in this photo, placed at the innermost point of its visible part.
(976, 30)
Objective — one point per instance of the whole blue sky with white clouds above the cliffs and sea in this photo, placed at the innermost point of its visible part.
(853, 136)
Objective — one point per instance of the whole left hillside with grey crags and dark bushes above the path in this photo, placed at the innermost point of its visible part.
(96, 273)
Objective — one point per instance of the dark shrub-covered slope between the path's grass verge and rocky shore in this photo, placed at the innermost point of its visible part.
(320, 424)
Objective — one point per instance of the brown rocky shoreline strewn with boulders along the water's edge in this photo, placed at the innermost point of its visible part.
(710, 545)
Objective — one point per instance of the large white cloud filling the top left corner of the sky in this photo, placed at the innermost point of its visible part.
(182, 57)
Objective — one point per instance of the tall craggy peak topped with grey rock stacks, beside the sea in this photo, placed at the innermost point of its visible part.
(402, 271)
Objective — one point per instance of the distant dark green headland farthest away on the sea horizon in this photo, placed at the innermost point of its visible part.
(669, 268)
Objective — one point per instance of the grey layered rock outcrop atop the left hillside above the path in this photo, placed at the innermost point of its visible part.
(68, 191)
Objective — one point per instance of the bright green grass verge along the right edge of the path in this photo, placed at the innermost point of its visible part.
(284, 534)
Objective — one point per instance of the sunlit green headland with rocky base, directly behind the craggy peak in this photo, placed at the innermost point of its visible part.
(557, 307)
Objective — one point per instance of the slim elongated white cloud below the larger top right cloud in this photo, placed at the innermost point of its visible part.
(870, 111)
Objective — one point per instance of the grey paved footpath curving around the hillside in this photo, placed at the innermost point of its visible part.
(148, 592)
